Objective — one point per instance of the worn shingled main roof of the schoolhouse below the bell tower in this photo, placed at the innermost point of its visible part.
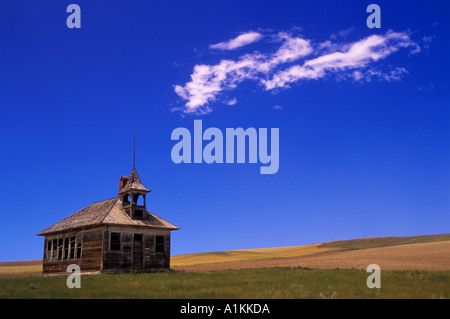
(107, 212)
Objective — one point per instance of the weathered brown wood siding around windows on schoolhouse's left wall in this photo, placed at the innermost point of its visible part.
(91, 252)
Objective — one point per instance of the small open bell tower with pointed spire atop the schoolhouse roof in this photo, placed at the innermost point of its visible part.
(133, 193)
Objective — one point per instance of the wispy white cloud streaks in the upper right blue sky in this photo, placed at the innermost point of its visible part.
(356, 60)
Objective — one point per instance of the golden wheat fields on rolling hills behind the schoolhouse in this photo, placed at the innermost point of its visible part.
(390, 253)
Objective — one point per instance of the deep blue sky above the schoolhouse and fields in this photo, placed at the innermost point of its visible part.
(363, 116)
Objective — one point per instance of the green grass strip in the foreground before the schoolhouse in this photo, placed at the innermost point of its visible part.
(246, 283)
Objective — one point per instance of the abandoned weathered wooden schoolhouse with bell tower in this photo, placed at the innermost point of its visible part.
(110, 236)
